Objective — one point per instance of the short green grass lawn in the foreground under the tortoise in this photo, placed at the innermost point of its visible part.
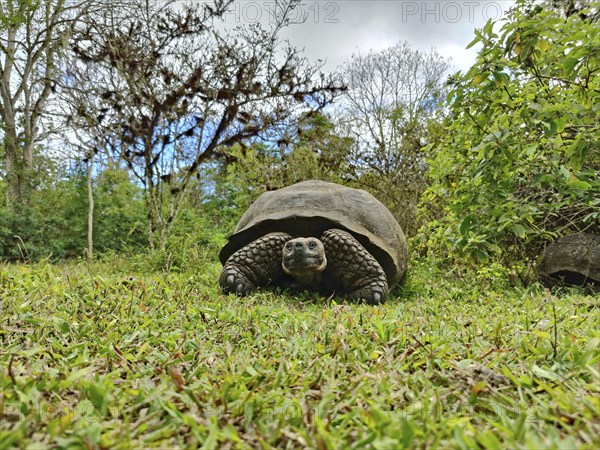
(94, 357)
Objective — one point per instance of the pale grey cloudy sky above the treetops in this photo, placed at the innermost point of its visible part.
(334, 30)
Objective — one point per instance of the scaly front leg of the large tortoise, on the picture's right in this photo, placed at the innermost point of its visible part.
(354, 268)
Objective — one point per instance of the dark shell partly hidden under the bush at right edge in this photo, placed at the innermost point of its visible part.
(573, 260)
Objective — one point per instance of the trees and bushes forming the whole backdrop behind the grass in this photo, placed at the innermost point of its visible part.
(499, 160)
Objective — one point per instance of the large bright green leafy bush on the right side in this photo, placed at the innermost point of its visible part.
(520, 162)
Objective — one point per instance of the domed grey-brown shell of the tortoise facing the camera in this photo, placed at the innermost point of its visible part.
(311, 207)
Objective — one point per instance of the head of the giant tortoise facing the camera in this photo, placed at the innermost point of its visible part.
(304, 259)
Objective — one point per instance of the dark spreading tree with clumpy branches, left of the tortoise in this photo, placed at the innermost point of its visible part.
(174, 91)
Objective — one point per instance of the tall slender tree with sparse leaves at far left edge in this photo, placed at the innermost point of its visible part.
(33, 35)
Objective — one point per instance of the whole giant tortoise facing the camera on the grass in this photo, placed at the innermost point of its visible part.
(318, 236)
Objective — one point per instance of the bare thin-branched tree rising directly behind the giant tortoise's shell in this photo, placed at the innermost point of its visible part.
(390, 110)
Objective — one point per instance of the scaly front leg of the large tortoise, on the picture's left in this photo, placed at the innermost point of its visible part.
(255, 265)
